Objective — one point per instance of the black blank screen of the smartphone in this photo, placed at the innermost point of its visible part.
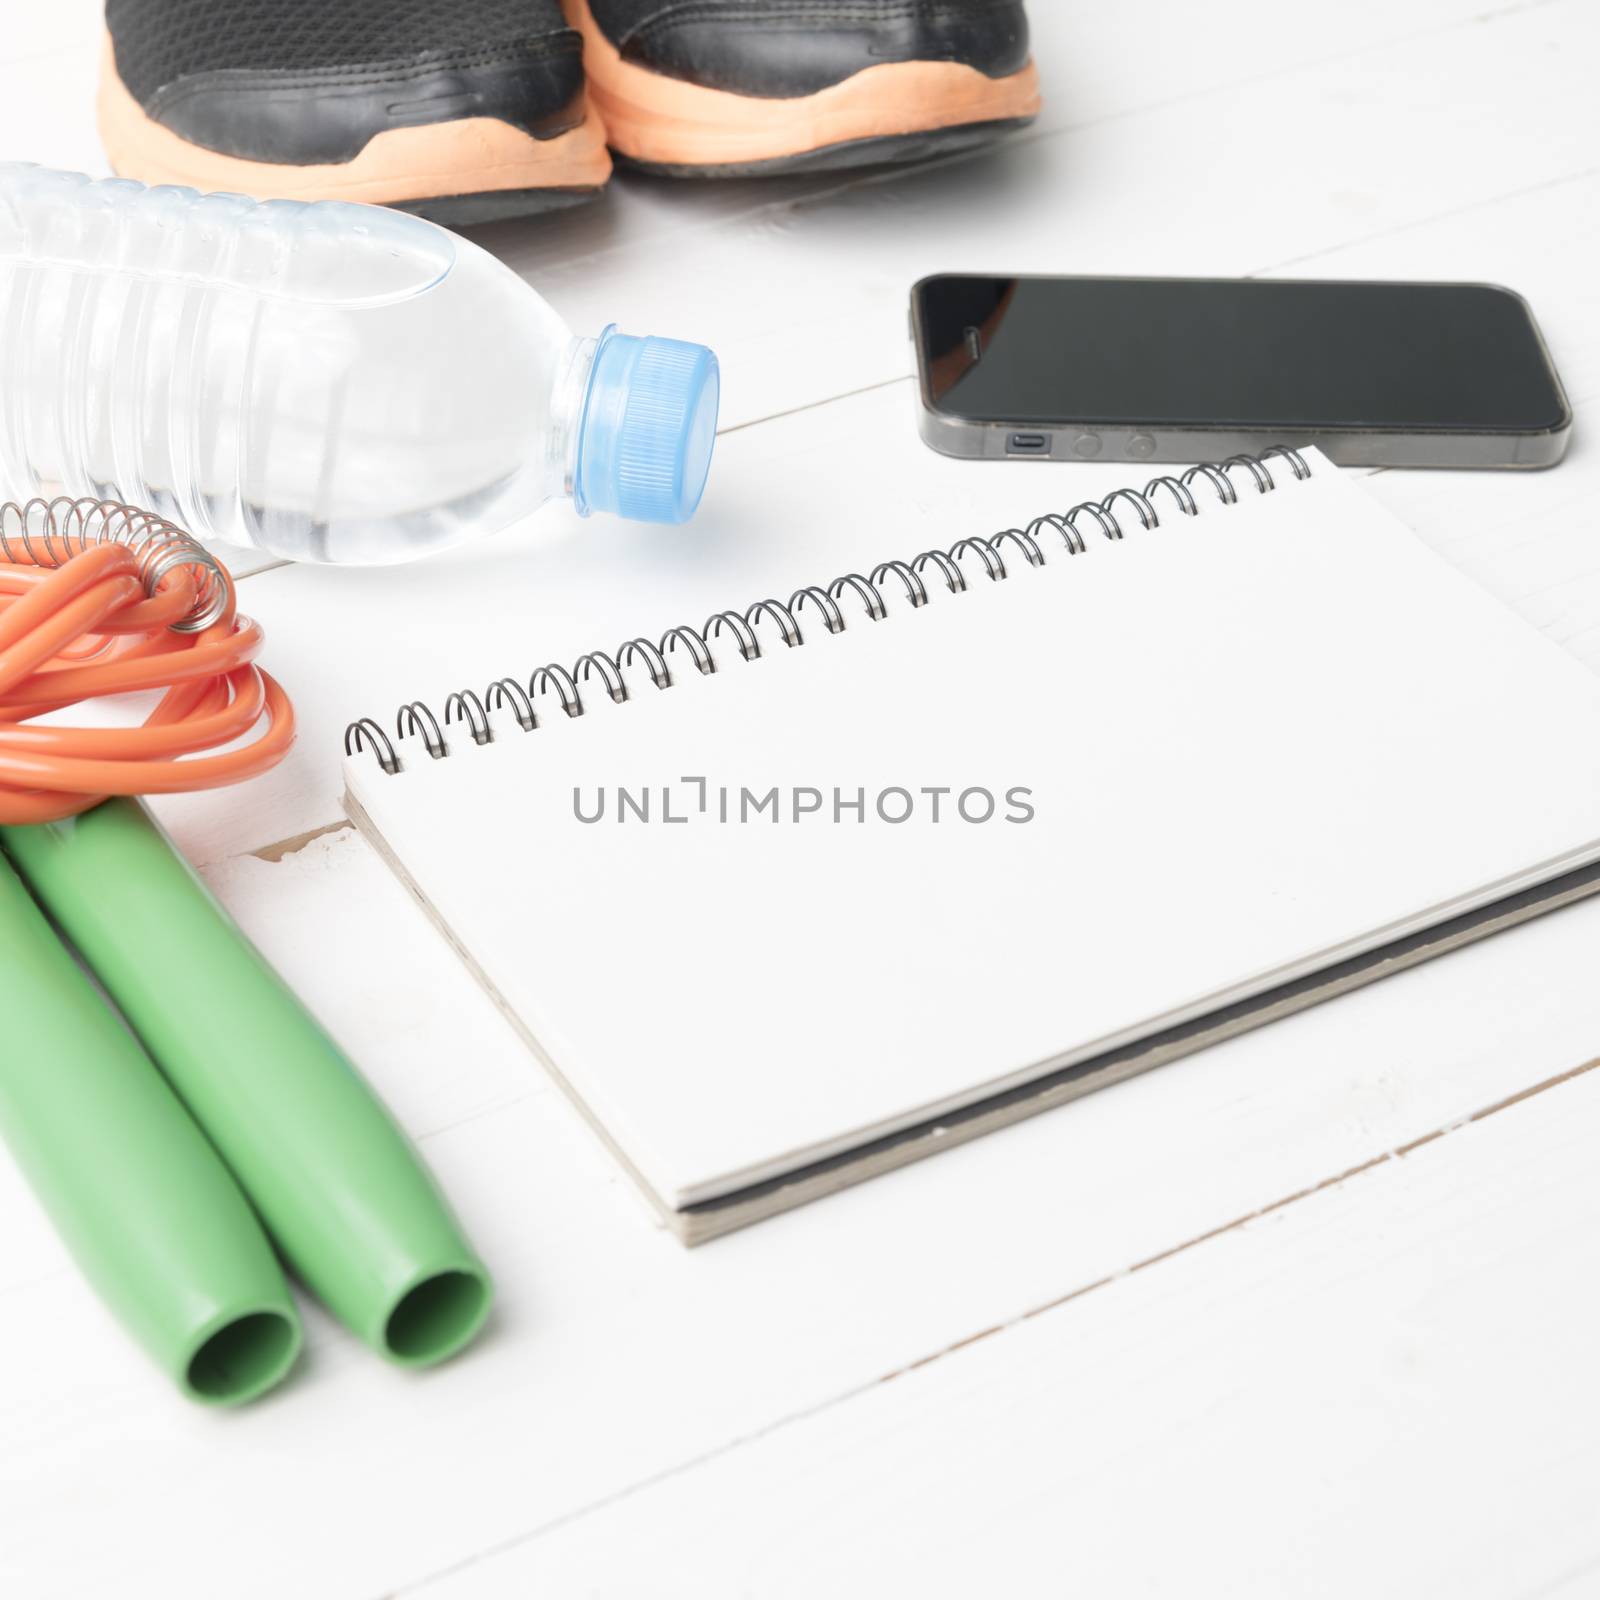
(1255, 353)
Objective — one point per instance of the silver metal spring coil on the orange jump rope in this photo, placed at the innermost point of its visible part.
(52, 532)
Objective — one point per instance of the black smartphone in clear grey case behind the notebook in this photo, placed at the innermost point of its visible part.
(1394, 375)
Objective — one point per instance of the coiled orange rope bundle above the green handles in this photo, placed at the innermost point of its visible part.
(81, 622)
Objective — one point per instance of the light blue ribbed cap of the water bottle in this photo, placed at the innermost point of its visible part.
(650, 423)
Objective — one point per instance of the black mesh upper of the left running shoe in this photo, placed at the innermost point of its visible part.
(164, 41)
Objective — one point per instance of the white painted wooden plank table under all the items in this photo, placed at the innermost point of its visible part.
(1313, 1313)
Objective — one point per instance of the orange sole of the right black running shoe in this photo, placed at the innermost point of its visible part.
(892, 111)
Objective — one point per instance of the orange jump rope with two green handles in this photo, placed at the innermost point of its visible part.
(188, 1124)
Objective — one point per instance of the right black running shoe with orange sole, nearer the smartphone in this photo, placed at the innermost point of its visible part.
(734, 87)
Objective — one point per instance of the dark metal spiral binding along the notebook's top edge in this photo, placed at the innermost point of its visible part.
(911, 582)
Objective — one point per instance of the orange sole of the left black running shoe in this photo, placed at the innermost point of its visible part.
(463, 172)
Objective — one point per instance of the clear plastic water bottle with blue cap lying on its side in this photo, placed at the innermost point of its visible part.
(326, 382)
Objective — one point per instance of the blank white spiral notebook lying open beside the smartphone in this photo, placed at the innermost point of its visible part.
(838, 881)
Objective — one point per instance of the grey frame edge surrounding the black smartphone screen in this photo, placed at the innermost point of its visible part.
(1095, 439)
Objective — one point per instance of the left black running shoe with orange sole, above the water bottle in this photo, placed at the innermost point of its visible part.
(460, 110)
